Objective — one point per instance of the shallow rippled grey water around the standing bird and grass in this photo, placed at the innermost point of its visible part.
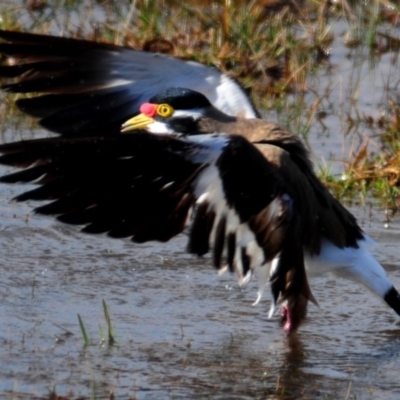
(183, 332)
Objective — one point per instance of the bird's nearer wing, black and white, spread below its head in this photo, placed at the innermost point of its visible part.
(146, 187)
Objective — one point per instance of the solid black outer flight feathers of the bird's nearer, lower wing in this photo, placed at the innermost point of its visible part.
(115, 185)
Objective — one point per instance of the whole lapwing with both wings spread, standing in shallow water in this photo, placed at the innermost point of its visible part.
(245, 187)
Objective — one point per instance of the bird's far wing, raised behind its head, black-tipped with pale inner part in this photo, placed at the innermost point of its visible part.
(87, 86)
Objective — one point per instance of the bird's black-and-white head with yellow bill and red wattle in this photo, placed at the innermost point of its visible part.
(174, 110)
